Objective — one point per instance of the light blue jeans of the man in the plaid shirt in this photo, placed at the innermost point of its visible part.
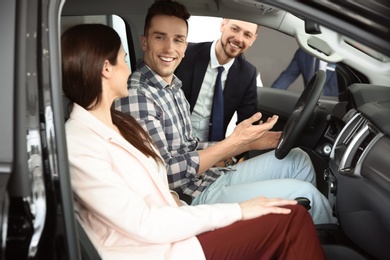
(292, 177)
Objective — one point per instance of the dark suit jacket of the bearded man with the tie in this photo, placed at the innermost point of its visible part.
(240, 93)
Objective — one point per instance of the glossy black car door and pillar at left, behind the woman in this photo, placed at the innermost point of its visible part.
(37, 202)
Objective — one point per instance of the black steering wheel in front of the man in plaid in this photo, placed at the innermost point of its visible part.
(302, 111)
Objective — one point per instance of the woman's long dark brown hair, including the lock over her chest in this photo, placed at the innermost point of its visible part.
(85, 48)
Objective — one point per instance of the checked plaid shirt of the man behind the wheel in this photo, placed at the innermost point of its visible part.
(163, 111)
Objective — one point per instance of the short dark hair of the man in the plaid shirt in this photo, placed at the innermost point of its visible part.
(165, 7)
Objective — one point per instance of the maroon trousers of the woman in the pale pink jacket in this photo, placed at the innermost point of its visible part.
(272, 236)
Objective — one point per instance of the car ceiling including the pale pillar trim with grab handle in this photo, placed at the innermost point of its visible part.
(359, 33)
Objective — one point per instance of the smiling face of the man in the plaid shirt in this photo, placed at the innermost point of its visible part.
(164, 45)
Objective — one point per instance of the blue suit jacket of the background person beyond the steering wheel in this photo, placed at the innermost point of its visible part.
(302, 63)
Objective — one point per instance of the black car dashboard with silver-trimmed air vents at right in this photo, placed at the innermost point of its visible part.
(359, 170)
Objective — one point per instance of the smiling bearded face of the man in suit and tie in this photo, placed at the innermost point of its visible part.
(237, 36)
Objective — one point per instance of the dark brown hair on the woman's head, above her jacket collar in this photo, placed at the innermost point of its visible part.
(83, 61)
